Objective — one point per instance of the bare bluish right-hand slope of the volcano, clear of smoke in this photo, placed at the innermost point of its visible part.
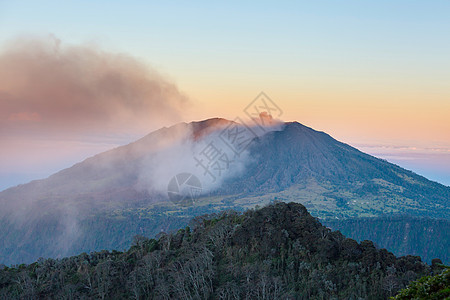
(349, 182)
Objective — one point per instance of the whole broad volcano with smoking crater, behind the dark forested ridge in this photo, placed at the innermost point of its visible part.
(106, 199)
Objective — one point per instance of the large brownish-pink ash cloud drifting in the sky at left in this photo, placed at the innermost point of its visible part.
(47, 87)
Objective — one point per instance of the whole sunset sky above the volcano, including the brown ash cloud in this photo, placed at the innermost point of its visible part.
(81, 77)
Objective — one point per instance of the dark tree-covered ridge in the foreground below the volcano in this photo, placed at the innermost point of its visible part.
(277, 252)
